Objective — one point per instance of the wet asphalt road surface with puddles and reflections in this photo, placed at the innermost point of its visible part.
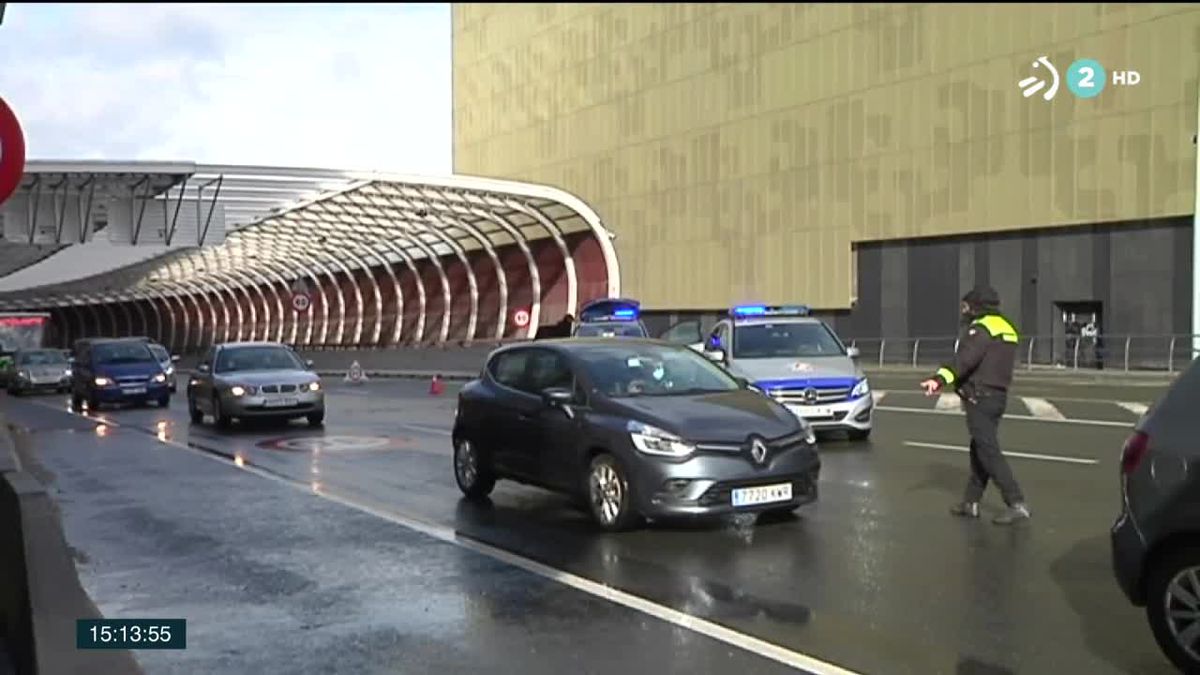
(875, 577)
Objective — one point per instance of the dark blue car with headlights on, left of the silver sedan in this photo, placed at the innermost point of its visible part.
(117, 372)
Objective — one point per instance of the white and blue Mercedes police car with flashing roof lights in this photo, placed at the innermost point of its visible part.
(800, 362)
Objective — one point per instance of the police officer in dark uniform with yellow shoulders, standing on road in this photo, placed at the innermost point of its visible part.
(981, 375)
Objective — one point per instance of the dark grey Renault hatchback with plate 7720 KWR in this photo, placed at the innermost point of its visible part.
(635, 428)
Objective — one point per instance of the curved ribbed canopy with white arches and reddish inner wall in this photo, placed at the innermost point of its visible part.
(376, 260)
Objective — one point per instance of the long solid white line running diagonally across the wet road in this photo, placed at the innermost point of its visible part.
(638, 604)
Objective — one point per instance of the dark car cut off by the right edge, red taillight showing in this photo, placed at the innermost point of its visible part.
(1156, 540)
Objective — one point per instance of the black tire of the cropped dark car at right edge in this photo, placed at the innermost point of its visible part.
(1169, 614)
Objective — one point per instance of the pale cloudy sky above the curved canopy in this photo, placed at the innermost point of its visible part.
(357, 87)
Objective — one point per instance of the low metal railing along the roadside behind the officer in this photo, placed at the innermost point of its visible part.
(1129, 354)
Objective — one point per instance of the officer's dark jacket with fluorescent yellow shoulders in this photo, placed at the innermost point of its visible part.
(986, 357)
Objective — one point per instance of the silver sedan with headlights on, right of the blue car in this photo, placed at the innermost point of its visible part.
(255, 380)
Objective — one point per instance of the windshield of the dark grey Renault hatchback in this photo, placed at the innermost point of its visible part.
(652, 371)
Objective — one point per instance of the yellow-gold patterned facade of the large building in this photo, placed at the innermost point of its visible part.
(742, 152)
